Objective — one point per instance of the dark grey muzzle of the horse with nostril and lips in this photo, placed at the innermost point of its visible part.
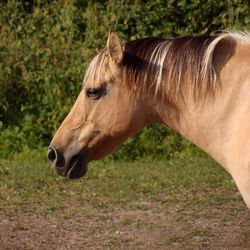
(72, 165)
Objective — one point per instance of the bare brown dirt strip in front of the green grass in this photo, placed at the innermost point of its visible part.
(138, 225)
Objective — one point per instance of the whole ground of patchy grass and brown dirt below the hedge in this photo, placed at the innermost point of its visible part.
(147, 204)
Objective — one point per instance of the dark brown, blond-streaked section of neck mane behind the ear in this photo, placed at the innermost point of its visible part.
(162, 63)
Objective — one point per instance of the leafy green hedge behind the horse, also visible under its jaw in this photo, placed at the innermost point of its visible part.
(45, 47)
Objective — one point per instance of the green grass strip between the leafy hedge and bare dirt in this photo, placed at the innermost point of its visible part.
(29, 181)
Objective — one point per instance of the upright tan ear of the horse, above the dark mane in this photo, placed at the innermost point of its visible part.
(114, 46)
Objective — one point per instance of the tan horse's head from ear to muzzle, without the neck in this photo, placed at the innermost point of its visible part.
(104, 115)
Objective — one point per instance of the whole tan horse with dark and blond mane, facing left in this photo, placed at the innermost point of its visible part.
(197, 85)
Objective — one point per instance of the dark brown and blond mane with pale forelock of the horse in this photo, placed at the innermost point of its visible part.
(168, 64)
